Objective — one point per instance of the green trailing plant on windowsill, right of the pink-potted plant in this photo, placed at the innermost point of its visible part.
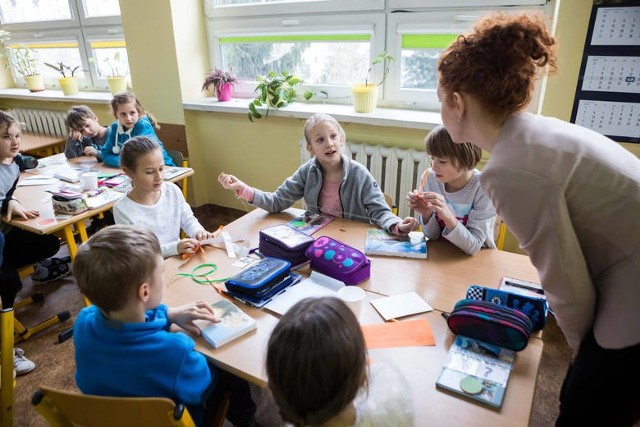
(277, 90)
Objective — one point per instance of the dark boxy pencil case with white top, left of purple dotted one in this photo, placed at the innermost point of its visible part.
(284, 242)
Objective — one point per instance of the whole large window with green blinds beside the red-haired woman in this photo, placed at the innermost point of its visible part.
(330, 43)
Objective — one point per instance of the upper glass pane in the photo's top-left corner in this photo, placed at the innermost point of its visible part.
(13, 11)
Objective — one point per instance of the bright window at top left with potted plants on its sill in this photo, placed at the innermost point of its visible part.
(79, 33)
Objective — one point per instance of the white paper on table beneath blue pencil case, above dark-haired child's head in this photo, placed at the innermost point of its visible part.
(316, 285)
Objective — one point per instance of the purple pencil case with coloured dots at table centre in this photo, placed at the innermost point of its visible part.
(339, 260)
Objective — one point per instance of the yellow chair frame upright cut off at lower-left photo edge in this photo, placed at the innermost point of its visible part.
(7, 381)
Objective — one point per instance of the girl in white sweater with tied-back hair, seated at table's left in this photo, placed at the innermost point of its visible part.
(154, 203)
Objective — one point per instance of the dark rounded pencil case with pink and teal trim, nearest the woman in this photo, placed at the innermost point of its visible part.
(492, 323)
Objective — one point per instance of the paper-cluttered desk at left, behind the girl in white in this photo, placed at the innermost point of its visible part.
(32, 197)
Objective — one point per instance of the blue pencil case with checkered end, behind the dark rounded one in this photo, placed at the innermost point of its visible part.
(535, 308)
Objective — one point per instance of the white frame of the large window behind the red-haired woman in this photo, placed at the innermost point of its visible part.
(392, 17)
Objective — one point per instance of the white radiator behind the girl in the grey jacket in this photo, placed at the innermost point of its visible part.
(397, 170)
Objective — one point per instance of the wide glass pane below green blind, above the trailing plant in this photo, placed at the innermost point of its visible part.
(330, 63)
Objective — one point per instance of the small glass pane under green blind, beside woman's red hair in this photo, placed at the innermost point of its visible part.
(419, 68)
